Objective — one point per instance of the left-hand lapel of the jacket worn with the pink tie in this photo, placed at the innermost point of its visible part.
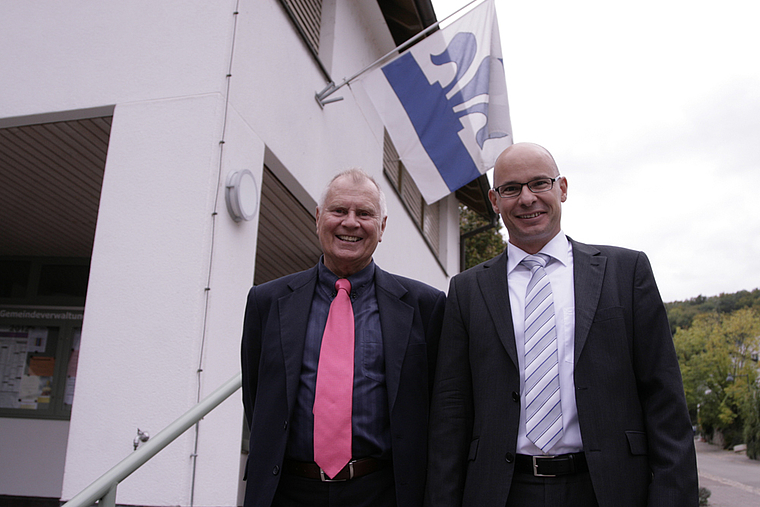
(294, 313)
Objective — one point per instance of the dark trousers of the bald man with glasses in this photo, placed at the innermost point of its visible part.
(564, 491)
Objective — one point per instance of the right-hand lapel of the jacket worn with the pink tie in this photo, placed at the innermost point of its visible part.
(396, 319)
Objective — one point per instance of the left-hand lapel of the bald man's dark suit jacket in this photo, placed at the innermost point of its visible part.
(492, 280)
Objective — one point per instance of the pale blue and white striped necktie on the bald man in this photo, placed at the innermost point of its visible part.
(543, 412)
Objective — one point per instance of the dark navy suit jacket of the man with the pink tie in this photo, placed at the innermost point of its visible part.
(272, 351)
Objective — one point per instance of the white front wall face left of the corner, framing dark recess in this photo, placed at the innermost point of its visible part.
(143, 325)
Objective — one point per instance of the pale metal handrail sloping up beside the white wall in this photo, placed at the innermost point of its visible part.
(103, 490)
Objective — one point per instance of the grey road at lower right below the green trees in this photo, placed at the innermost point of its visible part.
(732, 478)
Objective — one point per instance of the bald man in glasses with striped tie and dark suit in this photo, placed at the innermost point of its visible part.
(557, 382)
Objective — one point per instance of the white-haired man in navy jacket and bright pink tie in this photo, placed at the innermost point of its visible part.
(338, 364)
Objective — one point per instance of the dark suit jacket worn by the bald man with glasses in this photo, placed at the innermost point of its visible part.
(636, 431)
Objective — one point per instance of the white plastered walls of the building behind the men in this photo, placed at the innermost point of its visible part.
(158, 246)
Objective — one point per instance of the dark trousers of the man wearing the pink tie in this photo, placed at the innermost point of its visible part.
(373, 490)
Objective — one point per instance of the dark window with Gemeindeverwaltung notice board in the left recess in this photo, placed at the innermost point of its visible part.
(41, 312)
